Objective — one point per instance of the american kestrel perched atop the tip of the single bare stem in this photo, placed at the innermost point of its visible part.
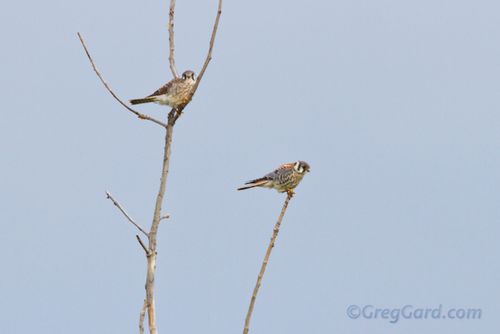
(285, 178)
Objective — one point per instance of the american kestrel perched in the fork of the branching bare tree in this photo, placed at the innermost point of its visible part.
(174, 93)
